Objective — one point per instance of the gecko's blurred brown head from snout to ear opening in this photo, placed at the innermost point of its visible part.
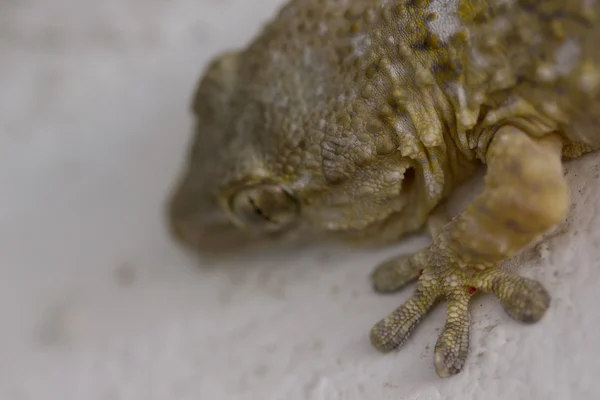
(260, 169)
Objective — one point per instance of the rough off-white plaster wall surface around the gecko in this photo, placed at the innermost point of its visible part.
(97, 303)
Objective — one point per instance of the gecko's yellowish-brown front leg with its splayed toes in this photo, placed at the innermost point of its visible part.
(525, 195)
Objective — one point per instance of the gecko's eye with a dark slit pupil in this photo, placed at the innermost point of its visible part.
(264, 207)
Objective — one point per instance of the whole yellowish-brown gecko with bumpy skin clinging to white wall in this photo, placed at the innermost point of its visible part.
(356, 119)
